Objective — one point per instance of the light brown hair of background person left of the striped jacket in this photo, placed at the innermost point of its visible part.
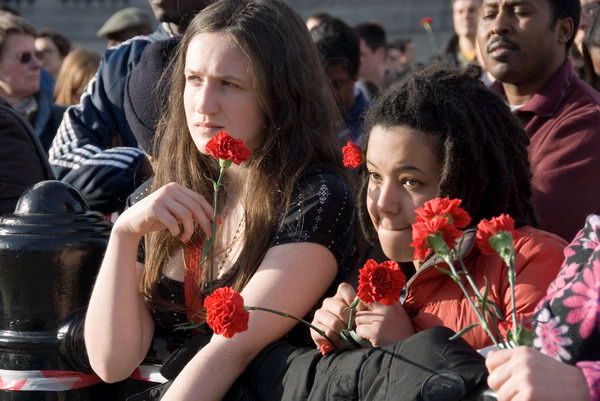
(76, 71)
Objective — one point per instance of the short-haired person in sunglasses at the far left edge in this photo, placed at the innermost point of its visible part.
(20, 71)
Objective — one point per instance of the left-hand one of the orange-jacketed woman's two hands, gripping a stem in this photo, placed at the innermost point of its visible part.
(333, 316)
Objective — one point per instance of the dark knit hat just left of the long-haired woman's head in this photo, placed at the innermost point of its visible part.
(145, 95)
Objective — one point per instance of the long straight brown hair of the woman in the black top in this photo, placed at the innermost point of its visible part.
(300, 115)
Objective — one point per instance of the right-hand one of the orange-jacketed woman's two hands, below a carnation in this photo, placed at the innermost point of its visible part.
(383, 324)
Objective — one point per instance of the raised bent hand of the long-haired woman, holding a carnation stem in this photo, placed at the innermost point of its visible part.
(172, 207)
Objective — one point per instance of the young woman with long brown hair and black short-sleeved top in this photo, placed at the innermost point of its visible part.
(250, 68)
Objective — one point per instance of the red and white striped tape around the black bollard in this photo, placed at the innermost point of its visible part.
(62, 380)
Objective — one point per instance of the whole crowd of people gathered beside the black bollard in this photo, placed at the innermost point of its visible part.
(506, 118)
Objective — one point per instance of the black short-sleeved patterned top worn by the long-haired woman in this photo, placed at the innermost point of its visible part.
(321, 211)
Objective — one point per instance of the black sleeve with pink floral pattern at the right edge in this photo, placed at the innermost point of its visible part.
(567, 321)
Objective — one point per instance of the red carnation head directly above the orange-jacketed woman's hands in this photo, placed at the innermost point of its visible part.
(380, 282)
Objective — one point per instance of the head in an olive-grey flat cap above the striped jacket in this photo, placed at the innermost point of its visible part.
(125, 24)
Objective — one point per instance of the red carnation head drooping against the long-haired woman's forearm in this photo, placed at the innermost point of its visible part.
(225, 313)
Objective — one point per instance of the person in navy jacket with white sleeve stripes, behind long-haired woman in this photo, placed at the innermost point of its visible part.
(83, 153)
